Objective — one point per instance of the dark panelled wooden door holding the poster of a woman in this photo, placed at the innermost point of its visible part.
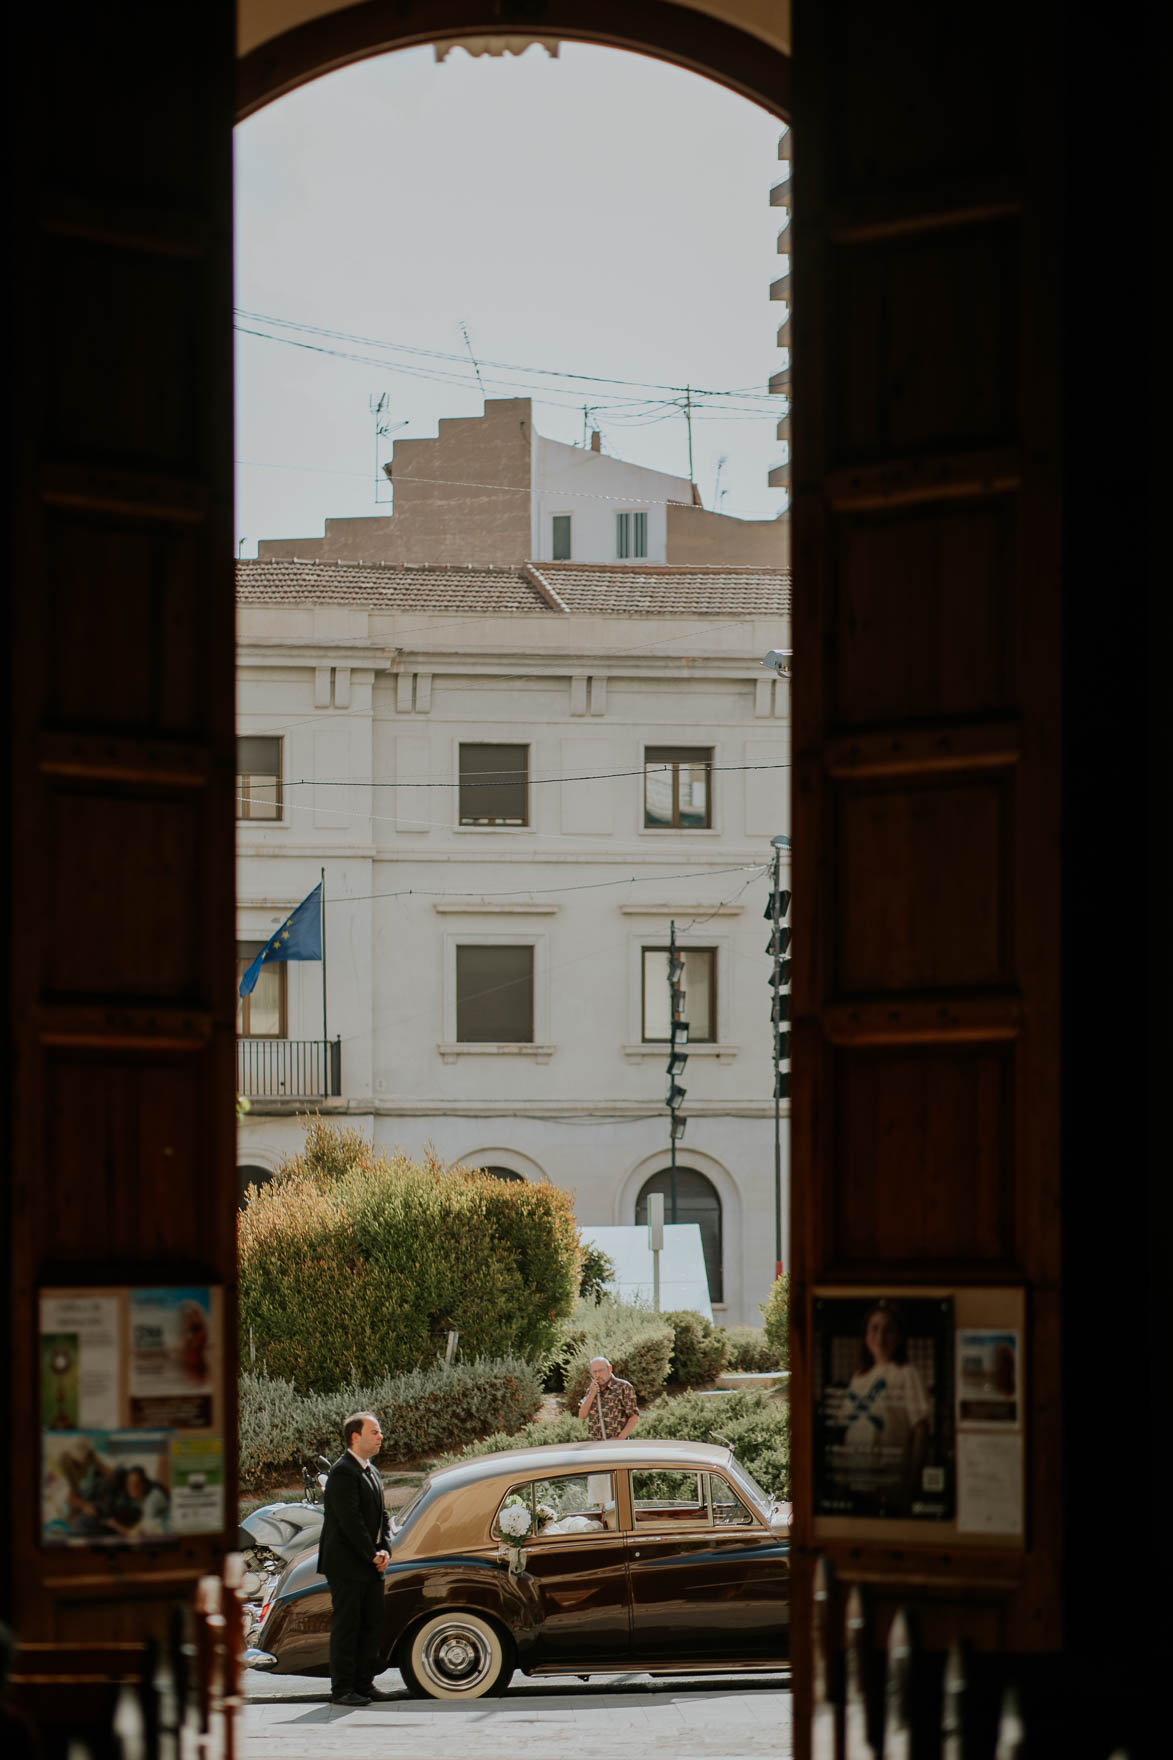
(927, 784)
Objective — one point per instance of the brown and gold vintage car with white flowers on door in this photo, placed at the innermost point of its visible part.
(586, 1558)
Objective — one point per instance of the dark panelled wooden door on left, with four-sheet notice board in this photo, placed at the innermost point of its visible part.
(121, 1124)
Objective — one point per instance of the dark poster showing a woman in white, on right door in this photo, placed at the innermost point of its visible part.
(883, 1407)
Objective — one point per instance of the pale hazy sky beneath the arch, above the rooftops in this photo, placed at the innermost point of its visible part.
(596, 214)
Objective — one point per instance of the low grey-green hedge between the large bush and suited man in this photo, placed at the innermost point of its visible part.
(422, 1414)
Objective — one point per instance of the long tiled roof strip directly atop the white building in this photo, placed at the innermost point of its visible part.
(626, 590)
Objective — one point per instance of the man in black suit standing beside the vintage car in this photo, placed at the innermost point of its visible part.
(353, 1557)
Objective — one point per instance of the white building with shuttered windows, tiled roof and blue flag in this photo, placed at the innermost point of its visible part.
(515, 781)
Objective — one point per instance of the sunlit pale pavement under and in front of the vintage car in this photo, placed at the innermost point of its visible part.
(550, 1719)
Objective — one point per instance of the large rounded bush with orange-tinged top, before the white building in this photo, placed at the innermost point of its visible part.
(357, 1265)
